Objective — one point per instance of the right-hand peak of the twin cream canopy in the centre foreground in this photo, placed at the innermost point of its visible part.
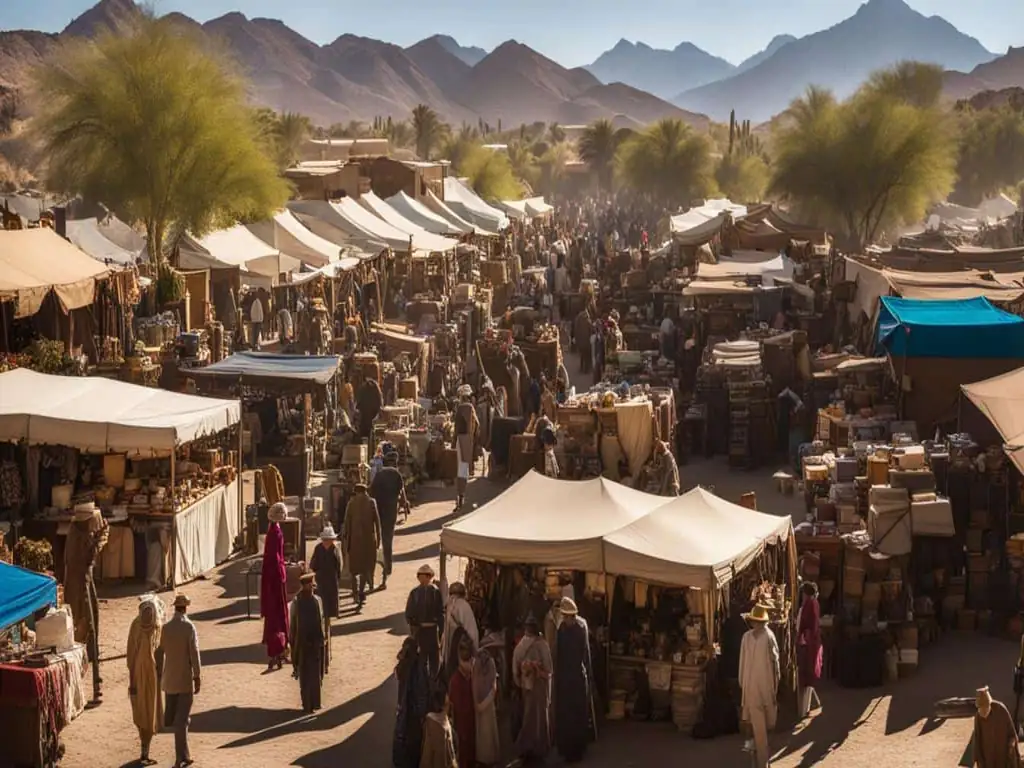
(698, 540)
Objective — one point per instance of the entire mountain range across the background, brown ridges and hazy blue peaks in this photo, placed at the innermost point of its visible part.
(357, 79)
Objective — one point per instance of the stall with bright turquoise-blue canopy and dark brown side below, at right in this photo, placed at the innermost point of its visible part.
(936, 347)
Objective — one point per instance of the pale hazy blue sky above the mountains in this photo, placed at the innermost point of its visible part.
(574, 32)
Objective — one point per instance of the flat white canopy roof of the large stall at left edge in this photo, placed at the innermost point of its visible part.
(101, 415)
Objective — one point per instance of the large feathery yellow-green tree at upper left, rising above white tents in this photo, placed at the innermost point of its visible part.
(157, 127)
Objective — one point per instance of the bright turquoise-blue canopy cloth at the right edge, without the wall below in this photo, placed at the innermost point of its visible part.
(948, 328)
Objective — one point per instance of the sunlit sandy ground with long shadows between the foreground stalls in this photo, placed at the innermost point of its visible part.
(245, 715)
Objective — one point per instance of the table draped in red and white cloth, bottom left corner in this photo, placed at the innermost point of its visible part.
(36, 704)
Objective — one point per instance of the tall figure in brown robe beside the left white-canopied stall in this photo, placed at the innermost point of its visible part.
(87, 539)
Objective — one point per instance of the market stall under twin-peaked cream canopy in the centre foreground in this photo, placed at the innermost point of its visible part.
(652, 578)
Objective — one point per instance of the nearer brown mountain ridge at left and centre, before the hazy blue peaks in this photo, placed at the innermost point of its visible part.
(357, 79)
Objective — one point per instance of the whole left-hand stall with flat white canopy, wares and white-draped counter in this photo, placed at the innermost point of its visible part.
(112, 444)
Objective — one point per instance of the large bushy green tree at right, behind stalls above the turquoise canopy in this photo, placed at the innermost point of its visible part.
(875, 161)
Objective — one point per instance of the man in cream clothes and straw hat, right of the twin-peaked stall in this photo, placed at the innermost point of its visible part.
(759, 676)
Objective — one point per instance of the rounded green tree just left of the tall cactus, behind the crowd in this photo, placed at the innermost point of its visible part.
(668, 161)
